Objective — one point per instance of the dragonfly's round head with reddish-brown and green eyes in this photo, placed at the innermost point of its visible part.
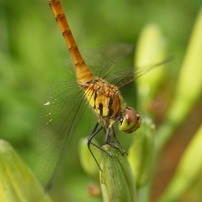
(130, 120)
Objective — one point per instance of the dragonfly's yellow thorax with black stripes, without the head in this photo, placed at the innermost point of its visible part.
(105, 98)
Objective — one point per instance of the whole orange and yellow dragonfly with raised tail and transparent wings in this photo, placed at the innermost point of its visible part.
(65, 104)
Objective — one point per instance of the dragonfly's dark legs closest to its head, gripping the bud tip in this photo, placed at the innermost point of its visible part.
(112, 140)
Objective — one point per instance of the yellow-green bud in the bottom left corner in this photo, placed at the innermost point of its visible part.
(17, 182)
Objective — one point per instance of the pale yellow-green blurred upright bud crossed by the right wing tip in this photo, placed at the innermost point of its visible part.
(150, 51)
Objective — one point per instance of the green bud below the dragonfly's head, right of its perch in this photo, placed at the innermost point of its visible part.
(142, 152)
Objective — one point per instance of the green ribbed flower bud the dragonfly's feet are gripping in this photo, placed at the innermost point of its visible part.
(116, 178)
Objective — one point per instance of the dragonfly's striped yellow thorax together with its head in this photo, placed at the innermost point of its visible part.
(107, 102)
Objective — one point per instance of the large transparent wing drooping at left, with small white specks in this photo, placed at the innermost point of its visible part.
(62, 110)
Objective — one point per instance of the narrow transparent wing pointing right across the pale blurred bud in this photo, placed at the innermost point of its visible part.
(126, 76)
